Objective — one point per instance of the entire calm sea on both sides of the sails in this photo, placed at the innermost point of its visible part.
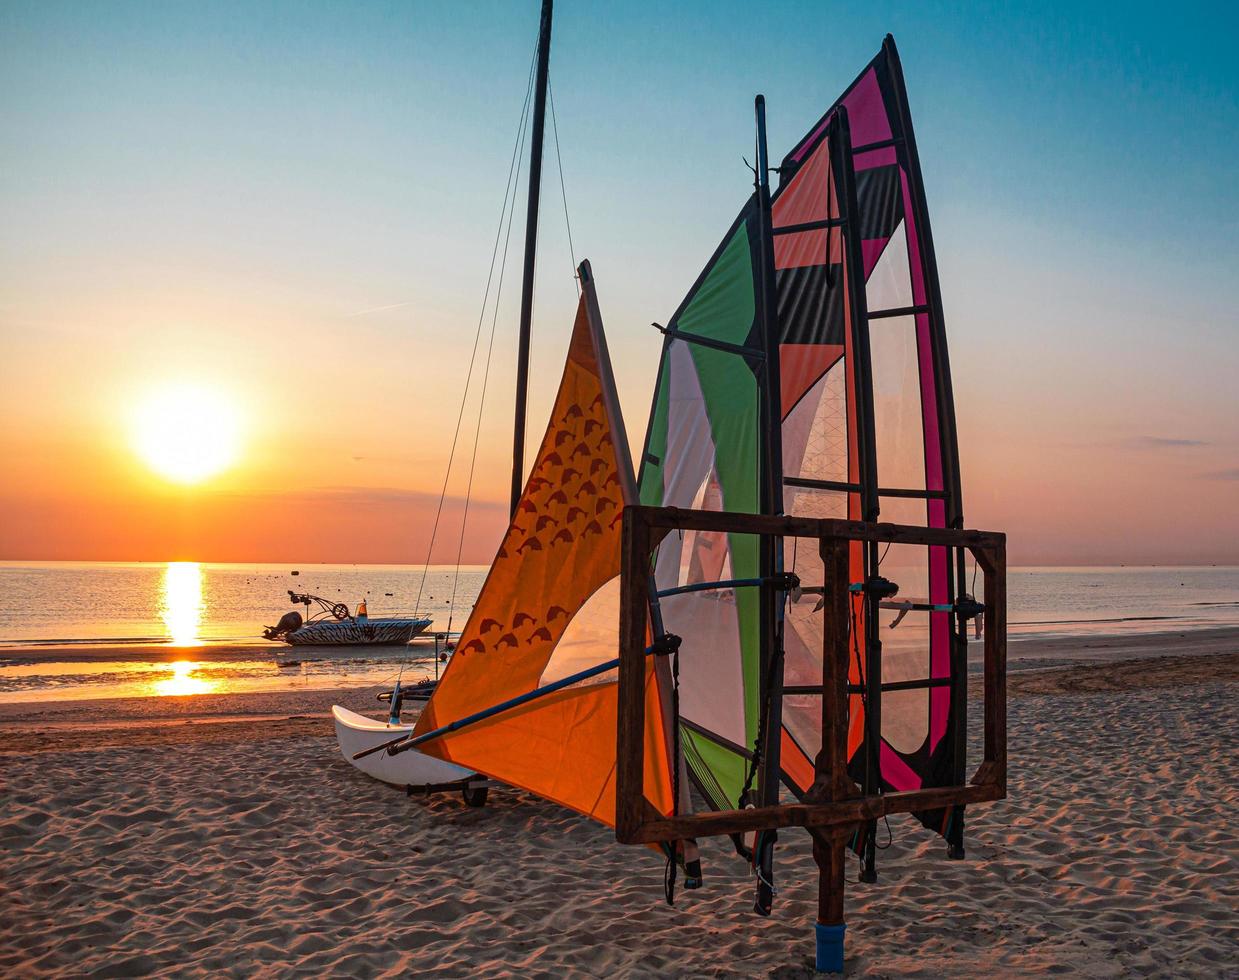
(220, 611)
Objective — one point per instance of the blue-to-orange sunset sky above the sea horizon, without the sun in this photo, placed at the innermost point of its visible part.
(293, 206)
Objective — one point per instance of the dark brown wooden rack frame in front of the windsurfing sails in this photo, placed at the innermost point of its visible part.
(834, 805)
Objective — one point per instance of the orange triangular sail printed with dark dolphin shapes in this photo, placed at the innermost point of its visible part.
(549, 609)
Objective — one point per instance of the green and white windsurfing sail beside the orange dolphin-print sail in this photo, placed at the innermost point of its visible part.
(702, 453)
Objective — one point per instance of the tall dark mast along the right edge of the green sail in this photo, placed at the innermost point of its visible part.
(771, 470)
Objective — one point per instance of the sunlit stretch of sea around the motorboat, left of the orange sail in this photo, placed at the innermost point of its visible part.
(214, 615)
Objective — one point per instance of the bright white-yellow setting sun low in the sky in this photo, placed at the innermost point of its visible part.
(186, 433)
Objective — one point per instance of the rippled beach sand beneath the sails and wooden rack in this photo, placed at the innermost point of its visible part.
(225, 834)
